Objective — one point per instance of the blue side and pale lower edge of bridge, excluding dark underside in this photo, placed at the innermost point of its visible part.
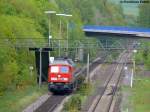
(118, 30)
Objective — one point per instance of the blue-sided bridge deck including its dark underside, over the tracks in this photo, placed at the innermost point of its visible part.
(117, 30)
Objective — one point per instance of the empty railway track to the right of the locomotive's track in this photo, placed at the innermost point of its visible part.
(105, 99)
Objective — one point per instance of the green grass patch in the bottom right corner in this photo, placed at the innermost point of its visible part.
(141, 95)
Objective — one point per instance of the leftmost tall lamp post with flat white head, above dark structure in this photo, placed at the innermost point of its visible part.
(49, 25)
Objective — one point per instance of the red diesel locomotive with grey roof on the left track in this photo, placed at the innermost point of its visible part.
(61, 75)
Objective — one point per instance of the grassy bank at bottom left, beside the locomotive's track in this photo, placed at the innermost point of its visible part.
(18, 100)
